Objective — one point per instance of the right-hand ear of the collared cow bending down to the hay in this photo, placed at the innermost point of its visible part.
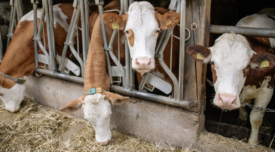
(115, 99)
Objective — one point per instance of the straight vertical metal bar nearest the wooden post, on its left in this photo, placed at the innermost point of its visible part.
(182, 51)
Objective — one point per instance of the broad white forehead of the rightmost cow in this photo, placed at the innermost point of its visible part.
(231, 49)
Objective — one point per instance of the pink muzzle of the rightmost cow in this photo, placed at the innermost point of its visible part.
(227, 101)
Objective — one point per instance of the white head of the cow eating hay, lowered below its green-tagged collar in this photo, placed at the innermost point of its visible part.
(97, 110)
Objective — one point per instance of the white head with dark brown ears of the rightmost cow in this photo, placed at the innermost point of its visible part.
(231, 59)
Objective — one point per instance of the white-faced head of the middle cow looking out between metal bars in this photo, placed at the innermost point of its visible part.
(142, 26)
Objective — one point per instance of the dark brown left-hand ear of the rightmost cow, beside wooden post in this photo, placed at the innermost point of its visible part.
(193, 50)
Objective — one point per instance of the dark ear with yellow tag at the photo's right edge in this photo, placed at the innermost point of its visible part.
(262, 60)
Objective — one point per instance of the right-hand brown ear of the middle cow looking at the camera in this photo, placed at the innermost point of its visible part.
(167, 20)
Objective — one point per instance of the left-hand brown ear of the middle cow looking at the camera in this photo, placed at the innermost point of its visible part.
(114, 21)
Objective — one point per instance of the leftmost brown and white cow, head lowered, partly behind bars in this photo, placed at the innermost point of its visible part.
(19, 57)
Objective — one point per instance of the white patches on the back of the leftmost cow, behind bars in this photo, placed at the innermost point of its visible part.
(59, 17)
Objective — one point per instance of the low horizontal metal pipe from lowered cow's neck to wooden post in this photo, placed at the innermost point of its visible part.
(152, 97)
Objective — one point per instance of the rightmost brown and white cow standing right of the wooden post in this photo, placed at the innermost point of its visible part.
(242, 70)
